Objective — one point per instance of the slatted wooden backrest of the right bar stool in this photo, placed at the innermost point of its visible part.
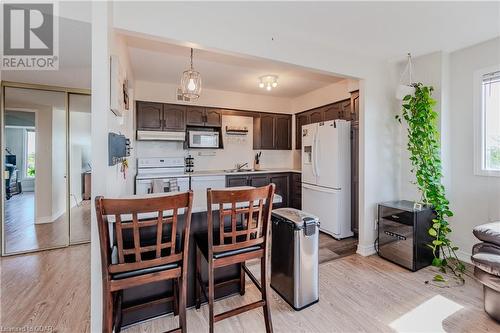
(243, 209)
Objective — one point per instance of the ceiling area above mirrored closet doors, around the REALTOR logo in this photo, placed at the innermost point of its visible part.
(75, 51)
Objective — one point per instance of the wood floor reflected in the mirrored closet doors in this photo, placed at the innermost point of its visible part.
(22, 234)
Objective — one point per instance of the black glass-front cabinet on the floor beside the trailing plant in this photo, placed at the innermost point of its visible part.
(403, 234)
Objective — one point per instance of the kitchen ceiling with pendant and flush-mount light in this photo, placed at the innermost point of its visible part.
(156, 61)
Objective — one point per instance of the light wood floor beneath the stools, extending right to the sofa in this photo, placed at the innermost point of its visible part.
(357, 294)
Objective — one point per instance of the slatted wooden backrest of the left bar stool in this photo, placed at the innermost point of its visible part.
(143, 243)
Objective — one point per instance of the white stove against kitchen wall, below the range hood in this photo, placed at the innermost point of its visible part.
(161, 174)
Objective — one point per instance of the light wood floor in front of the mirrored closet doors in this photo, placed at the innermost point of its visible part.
(49, 288)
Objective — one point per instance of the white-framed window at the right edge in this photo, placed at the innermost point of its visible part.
(488, 122)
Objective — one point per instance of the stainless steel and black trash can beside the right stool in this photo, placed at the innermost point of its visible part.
(294, 256)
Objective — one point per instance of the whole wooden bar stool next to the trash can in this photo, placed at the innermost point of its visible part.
(244, 216)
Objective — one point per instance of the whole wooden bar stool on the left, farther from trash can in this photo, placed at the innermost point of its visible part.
(144, 250)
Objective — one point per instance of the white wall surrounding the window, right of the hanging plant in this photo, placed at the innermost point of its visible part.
(474, 199)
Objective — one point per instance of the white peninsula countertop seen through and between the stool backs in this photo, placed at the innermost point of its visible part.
(199, 204)
